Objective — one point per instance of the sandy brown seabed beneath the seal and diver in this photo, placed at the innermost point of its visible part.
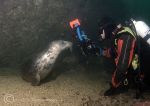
(71, 88)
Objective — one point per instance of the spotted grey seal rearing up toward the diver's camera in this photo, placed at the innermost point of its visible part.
(44, 63)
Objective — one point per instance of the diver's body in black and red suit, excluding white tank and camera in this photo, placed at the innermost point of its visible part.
(121, 43)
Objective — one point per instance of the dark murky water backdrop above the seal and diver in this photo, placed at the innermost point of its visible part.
(27, 26)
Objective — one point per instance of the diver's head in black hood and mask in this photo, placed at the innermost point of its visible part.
(106, 26)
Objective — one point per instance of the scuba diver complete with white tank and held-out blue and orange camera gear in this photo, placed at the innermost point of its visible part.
(120, 42)
